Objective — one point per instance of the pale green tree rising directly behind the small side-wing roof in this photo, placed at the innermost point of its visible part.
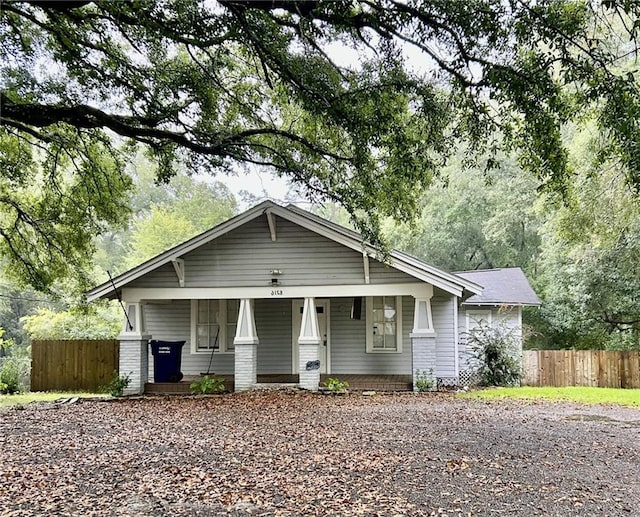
(475, 219)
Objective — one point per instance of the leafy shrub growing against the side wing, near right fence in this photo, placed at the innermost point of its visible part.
(495, 350)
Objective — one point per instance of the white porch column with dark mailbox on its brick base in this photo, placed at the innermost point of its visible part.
(308, 343)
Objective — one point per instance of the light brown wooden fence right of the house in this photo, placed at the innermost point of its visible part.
(604, 369)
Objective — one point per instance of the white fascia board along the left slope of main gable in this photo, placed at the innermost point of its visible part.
(178, 251)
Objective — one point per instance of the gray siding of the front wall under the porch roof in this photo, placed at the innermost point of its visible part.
(274, 326)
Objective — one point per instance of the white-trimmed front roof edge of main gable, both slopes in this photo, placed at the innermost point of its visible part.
(448, 282)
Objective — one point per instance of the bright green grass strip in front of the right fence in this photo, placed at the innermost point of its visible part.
(579, 394)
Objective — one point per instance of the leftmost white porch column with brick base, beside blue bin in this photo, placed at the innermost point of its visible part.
(134, 350)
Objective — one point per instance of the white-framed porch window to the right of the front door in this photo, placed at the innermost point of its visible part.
(384, 324)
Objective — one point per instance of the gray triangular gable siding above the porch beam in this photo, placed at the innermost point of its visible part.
(245, 256)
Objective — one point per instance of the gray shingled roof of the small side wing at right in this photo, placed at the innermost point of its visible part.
(505, 286)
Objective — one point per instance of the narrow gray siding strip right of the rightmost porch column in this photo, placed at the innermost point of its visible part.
(442, 309)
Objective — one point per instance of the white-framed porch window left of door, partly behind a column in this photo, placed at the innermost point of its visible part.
(213, 325)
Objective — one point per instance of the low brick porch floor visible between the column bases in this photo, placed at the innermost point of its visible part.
(357, 382)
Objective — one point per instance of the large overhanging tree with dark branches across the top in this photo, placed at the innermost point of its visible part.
(236, 82)
